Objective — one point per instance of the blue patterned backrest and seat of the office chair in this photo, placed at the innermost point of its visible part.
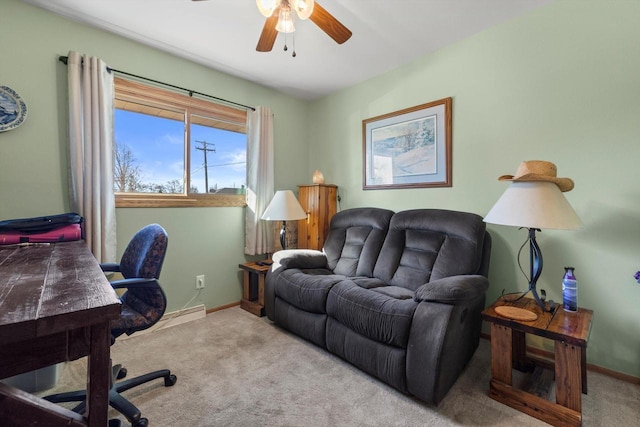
(143, 305)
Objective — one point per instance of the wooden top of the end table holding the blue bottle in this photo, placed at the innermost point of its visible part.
(561, 325)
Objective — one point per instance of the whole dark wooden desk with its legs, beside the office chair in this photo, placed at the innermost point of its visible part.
(55, 305)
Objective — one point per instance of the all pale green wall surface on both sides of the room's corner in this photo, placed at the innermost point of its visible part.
(560, 83)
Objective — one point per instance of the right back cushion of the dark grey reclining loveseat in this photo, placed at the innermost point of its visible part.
(429, 244)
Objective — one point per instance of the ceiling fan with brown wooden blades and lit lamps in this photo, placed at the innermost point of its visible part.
(279, 14)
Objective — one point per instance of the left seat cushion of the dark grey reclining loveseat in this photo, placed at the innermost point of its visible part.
(306, 289)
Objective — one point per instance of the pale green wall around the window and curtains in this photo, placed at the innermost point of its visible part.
(33, 162)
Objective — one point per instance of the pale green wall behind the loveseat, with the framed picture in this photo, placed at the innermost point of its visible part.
(561, 83)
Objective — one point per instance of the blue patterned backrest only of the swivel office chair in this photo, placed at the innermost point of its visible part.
(145, 253)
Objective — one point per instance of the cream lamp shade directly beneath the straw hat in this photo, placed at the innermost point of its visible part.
(538, 205)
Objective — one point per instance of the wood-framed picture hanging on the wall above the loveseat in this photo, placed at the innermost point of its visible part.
(408, 148)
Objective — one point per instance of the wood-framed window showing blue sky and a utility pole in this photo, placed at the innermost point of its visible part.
(174, 150)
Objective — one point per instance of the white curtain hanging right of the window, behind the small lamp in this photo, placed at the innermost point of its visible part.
(259, 238)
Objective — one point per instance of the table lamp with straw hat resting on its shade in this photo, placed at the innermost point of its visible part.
(534, 200)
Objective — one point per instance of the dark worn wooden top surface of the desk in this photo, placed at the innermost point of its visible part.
(46, 289)
